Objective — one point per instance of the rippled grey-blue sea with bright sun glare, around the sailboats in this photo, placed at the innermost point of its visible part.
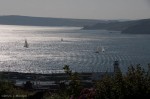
(48, 54)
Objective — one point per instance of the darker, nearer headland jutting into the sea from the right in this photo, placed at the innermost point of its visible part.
(131, 27)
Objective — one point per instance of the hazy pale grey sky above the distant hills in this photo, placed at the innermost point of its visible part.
(89, 9)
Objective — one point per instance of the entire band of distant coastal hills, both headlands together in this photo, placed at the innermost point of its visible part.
(127, 26)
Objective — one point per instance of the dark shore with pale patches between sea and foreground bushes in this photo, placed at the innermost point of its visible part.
(49, 81)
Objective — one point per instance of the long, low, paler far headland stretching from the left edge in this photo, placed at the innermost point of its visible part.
(45, 21)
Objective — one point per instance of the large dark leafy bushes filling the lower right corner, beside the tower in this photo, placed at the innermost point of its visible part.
(134, 84)
